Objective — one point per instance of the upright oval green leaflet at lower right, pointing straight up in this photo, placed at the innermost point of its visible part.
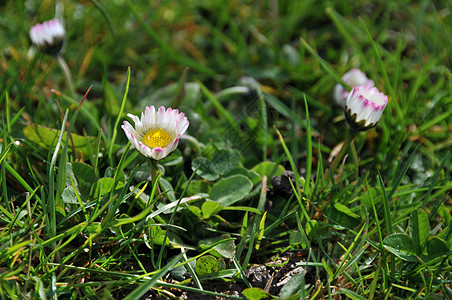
(419, 229)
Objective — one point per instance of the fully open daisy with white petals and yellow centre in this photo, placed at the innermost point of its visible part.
(156, 133)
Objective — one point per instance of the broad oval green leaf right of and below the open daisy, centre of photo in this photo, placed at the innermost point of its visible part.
(229, 190)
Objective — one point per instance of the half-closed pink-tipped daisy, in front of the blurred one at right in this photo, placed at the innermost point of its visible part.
(364, 107)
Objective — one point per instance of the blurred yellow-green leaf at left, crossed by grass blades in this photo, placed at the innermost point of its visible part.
(46, 138)
